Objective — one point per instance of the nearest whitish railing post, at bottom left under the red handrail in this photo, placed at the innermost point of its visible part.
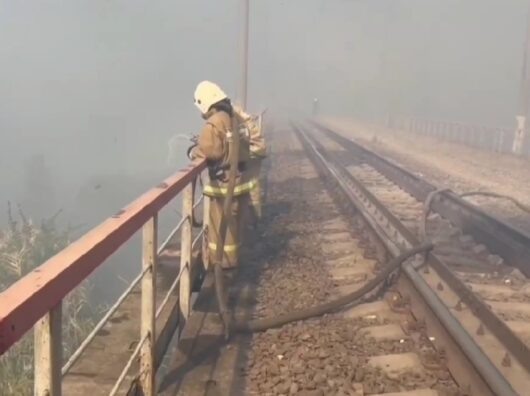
(48, 352)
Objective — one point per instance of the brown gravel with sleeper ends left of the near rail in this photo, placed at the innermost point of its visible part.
(375, 348)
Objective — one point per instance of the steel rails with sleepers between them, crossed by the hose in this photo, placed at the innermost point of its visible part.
(471, 274)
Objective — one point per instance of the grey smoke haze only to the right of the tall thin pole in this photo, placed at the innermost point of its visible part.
(453, 59)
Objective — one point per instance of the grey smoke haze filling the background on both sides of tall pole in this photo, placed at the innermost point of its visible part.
(92, 91)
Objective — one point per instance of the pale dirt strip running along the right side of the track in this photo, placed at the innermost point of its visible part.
(448, 164)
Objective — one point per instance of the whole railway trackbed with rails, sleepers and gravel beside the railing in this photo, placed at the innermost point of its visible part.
(453, 327)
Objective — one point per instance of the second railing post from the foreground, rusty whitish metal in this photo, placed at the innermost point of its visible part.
(147, 353)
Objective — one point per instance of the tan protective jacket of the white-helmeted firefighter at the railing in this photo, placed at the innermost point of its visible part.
(213, 144)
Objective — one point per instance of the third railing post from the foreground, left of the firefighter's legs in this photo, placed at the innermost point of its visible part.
(185, 252)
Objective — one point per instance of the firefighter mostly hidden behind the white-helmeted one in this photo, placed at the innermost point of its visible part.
(254, 134)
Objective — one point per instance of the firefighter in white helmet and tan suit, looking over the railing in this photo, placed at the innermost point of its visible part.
(213, 145)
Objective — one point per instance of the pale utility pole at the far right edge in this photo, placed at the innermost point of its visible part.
(521, 130)
